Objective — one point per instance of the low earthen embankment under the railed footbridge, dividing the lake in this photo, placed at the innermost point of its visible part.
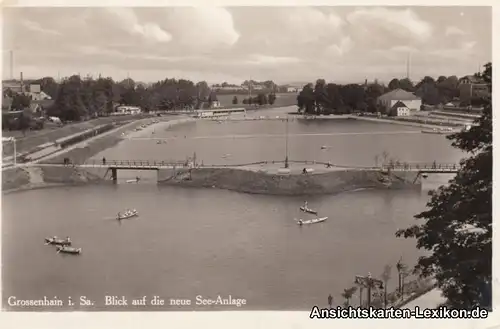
(238, 180)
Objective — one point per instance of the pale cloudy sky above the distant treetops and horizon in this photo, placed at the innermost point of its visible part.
(233, 44)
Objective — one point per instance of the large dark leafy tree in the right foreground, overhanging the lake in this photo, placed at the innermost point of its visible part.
(457, 226)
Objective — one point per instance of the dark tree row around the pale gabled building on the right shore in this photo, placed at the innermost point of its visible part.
(331, 98)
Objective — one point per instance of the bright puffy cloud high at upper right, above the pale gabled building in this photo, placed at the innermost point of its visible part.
(392, 21)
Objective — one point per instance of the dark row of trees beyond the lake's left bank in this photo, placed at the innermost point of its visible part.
(76, 98)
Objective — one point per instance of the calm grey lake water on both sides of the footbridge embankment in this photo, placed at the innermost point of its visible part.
(190, 242)
